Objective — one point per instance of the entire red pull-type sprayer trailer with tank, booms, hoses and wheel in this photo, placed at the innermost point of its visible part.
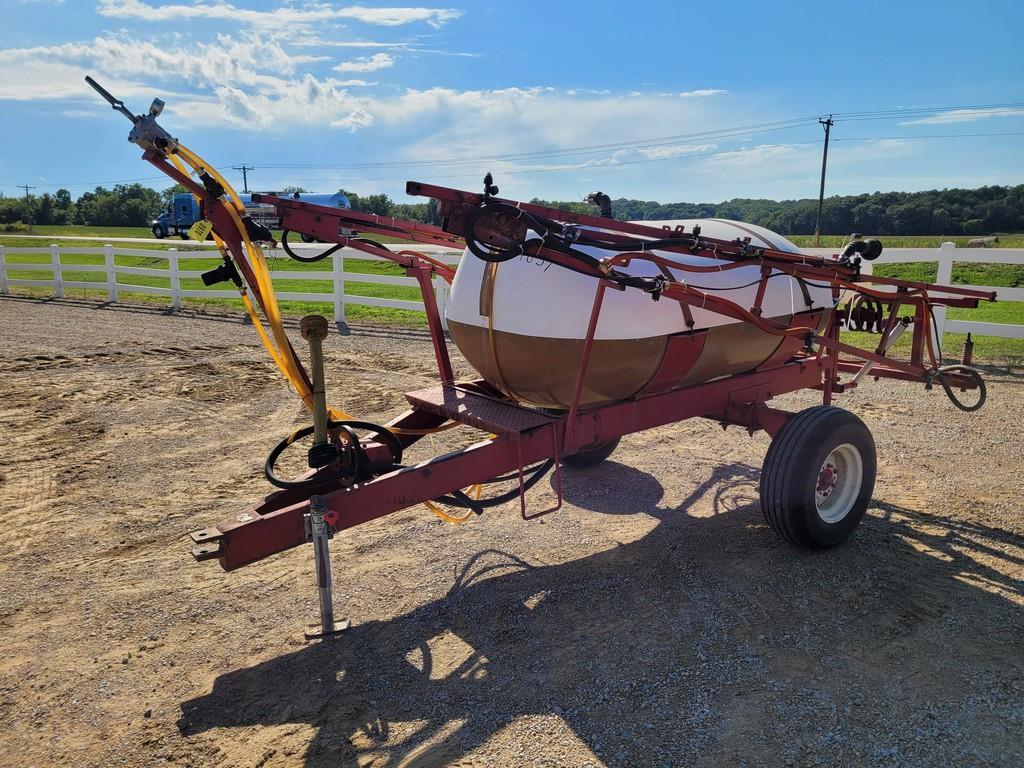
(821, 468)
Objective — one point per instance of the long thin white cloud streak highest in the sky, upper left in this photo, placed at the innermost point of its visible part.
(285, 15)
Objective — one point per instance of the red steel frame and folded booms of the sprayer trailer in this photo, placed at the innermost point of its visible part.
(278, 524)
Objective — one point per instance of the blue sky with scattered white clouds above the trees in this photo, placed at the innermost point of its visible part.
(366, 97)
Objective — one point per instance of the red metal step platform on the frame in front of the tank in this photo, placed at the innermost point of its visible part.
(480, 410)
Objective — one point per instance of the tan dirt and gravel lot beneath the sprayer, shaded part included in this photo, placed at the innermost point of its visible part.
(655, 621)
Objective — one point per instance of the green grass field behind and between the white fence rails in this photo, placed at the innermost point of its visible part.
(1010, 352)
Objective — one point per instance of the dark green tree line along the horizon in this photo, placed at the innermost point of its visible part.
(986, 210)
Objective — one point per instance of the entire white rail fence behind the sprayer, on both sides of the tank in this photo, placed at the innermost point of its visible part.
(945, 257)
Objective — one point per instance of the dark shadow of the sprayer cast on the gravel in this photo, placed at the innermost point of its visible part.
(707, 642)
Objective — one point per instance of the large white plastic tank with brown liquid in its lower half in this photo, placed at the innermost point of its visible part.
(522, 324)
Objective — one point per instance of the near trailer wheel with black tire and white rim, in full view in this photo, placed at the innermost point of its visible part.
(819, 477)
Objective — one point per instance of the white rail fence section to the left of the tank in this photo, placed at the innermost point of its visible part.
(336, 276)
